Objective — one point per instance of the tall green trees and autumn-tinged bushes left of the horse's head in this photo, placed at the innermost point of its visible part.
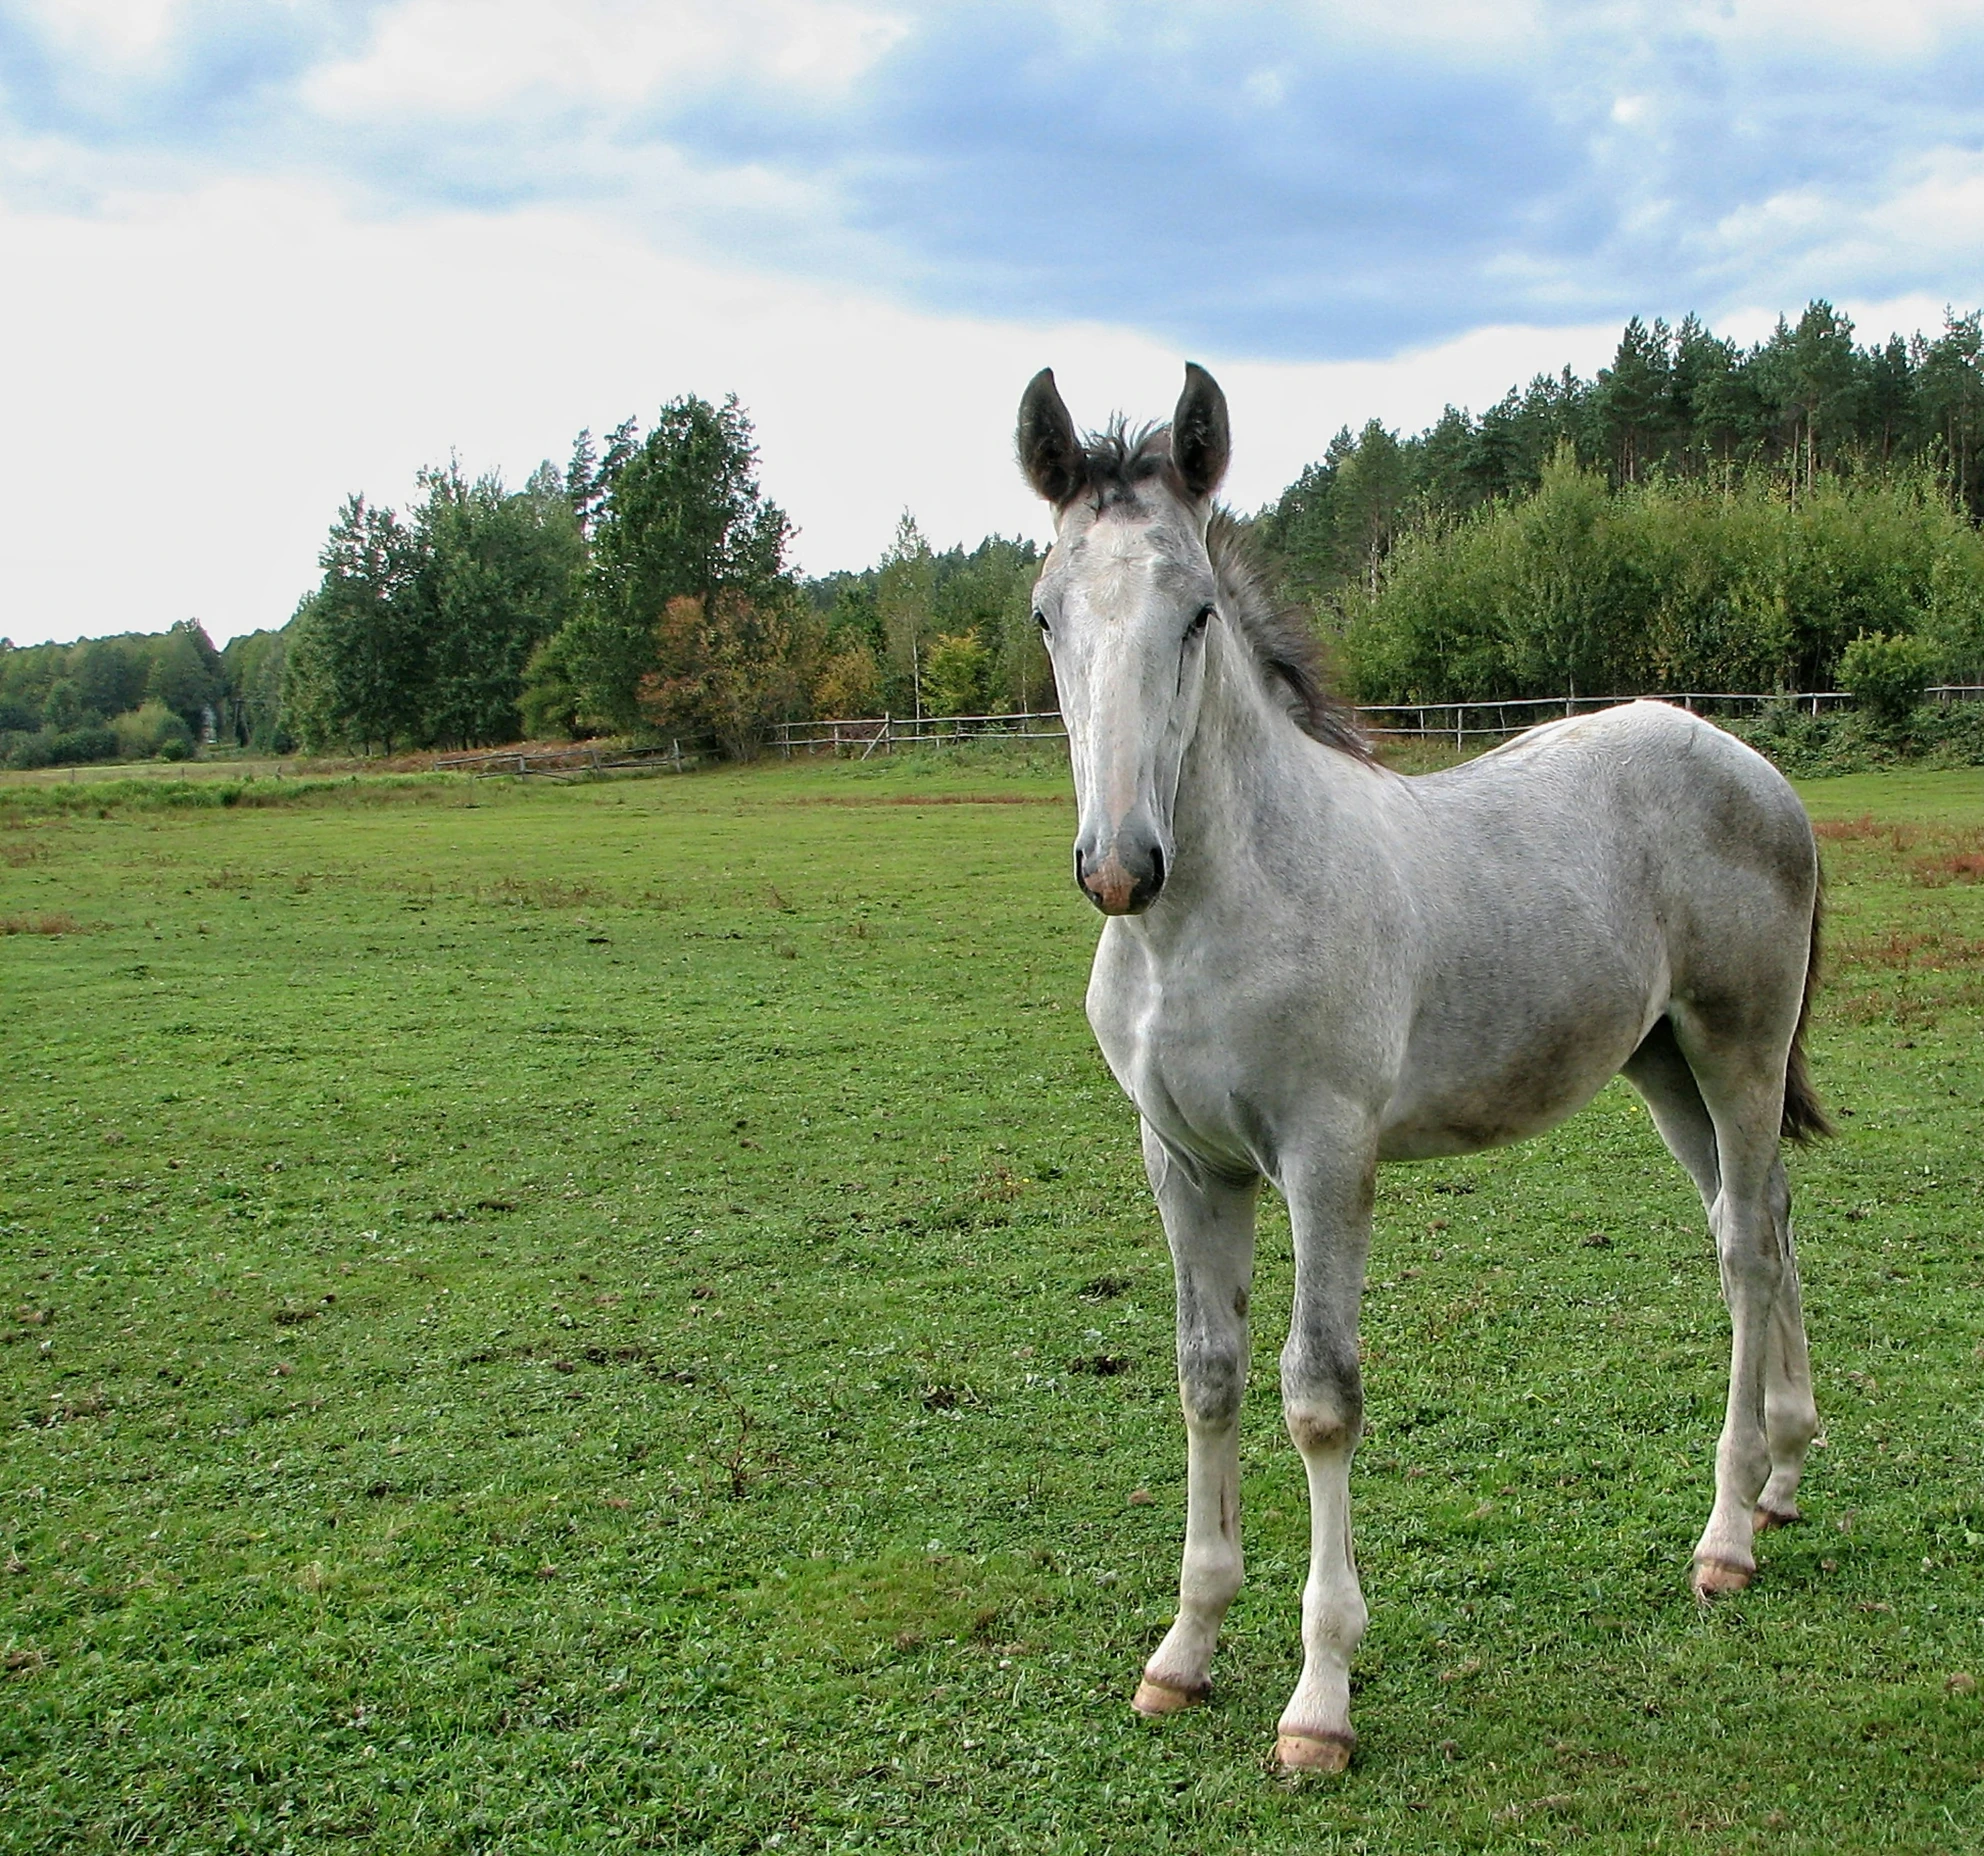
(644, 589)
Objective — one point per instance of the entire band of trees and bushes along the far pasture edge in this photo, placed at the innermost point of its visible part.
(1697, 517)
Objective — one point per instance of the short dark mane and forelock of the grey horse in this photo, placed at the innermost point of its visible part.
(1122, 460)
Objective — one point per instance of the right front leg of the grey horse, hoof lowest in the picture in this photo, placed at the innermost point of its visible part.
(1322, 1398)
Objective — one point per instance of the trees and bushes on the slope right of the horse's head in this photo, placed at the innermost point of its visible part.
(1695, 517)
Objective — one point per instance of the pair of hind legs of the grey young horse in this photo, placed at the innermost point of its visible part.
(1771, 1418)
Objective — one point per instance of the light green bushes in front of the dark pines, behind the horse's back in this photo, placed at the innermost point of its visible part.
(1709, 587)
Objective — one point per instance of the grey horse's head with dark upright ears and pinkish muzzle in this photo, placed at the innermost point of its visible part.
(1124, 604)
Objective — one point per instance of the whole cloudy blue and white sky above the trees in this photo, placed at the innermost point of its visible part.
(257, 255)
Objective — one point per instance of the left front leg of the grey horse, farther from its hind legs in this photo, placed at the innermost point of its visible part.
(1209, 1224)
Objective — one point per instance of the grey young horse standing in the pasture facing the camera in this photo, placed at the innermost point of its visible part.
(1314, 966)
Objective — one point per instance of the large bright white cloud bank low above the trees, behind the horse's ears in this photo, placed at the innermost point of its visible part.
(219, 370)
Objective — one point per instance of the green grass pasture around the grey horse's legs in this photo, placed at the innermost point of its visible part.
(628, 1317)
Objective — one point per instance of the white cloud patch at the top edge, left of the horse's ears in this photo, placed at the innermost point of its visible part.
(473, 57)
